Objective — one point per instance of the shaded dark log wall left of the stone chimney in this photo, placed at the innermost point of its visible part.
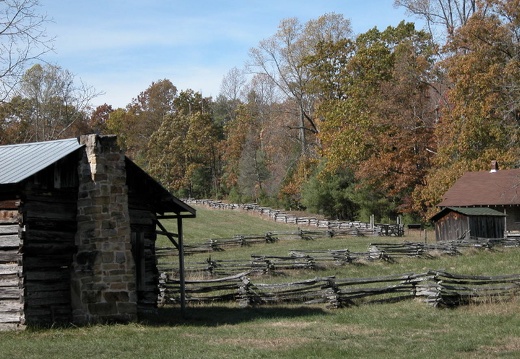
(49, 222)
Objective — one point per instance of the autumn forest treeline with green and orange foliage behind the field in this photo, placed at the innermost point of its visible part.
(319, 118)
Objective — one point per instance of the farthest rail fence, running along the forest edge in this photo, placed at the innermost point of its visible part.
(362, 228)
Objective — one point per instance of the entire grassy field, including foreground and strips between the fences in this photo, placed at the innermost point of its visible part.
(410, 329)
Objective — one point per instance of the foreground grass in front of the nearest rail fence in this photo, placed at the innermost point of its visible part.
(401, 330)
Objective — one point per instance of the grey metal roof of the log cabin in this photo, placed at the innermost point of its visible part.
(18, 162)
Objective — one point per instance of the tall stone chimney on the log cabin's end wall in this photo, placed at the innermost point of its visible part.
(103, 279)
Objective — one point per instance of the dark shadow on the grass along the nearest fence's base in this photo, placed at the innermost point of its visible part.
(220, 315)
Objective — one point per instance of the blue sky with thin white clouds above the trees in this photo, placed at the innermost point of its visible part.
(121, 46)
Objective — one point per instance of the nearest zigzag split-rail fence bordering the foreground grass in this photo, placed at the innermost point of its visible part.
(437, 288)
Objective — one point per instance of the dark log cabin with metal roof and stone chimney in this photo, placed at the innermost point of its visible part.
(77, 233)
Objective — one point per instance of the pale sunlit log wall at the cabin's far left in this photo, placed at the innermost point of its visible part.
(11, 280)
